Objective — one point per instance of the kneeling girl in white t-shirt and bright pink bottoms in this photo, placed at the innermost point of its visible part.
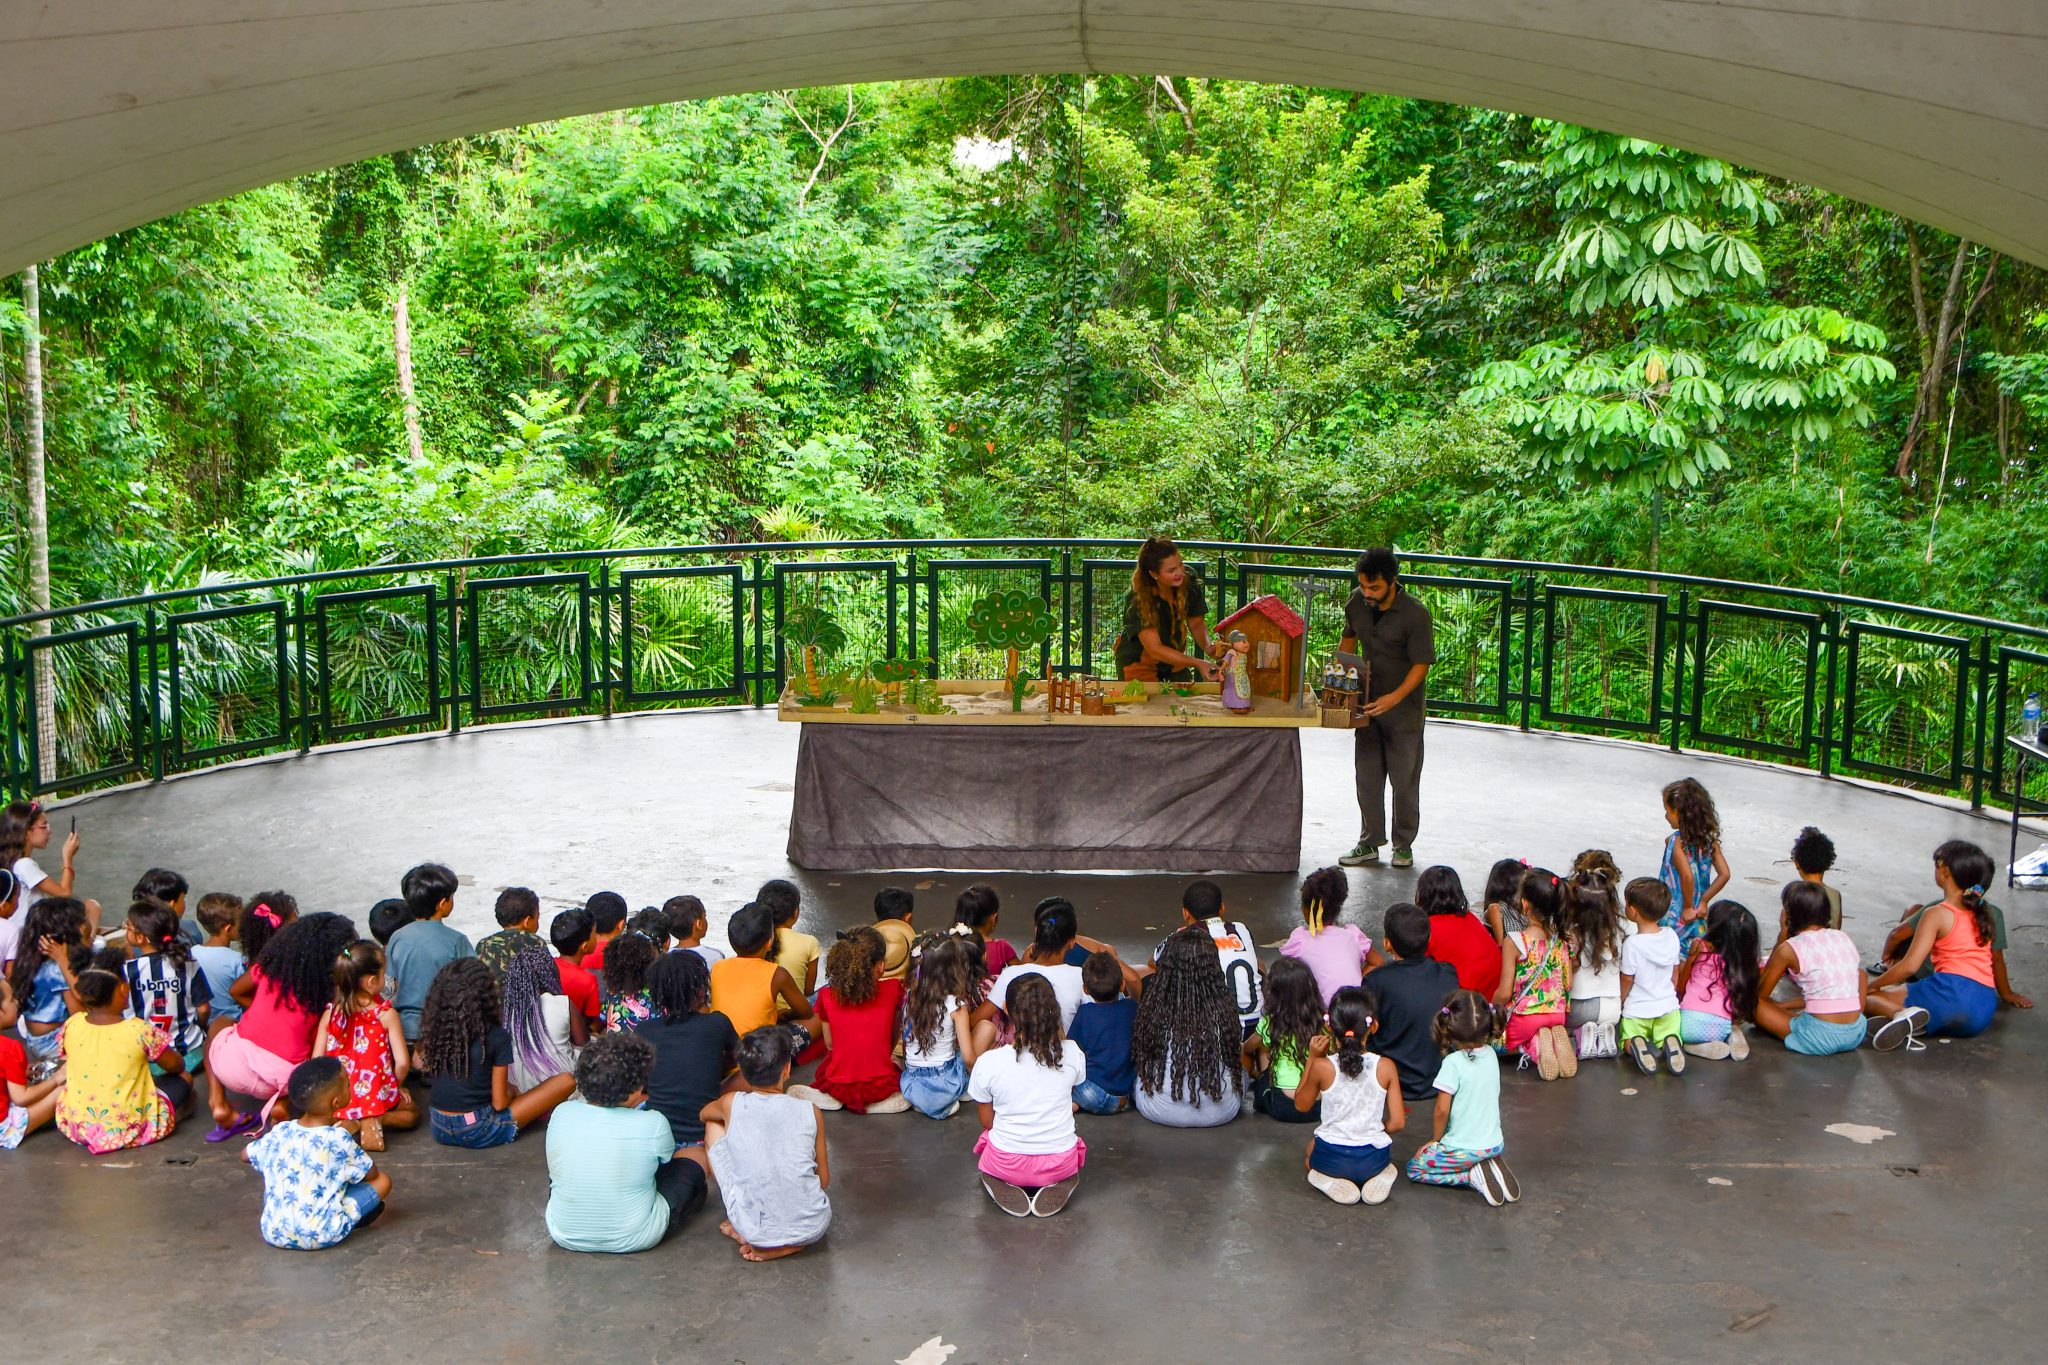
(1029, 1151)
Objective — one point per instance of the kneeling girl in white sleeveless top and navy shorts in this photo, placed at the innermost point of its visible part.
(1351, 1153)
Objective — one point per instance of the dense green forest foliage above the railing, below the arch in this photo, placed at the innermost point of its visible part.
(1046, 306)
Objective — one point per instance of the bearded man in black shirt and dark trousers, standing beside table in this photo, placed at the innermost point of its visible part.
(1394, 633)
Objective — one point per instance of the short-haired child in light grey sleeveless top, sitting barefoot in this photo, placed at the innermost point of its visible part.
(769, 1153)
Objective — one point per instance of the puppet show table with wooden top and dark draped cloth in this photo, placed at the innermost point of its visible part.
(1170, 785)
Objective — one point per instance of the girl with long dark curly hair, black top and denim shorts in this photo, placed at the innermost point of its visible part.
(466, 1049)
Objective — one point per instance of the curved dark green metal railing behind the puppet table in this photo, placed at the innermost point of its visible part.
(183, 680)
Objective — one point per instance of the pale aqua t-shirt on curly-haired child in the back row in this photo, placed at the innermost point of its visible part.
(601, 1178)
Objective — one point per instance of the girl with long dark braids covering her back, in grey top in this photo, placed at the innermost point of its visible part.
(1185, 1043)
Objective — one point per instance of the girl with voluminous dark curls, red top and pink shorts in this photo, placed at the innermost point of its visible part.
(284, 998)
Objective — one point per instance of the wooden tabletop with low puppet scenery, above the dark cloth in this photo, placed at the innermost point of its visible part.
(988, 703)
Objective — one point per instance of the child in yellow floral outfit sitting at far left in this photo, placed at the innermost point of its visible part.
(110, 1100)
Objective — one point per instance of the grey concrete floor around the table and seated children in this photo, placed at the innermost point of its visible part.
(1711, 1217)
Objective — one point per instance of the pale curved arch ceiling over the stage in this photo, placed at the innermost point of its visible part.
(122, 112)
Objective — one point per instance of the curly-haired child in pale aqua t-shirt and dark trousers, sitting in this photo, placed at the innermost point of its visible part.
(611, 1163)
